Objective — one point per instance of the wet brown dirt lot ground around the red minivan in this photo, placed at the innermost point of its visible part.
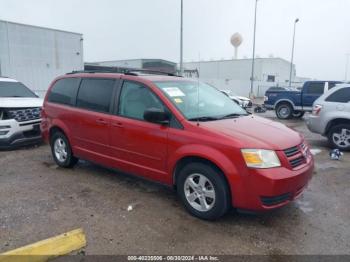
(39, 200)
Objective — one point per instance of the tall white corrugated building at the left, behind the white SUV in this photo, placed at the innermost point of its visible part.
(36, 55)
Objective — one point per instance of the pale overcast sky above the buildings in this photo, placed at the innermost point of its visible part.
(125, 29)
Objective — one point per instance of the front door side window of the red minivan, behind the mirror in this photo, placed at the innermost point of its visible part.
(135, 99)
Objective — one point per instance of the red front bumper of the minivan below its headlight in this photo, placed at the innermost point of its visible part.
(272, 188)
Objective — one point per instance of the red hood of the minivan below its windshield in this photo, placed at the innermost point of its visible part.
(255, 132)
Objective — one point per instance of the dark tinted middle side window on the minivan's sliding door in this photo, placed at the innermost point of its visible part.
(95, 94)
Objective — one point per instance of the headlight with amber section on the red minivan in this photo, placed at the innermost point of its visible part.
(260, 158)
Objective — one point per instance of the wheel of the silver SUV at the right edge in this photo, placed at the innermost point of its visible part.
(339, 137)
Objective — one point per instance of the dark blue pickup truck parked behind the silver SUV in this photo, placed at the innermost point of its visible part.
(294, 103)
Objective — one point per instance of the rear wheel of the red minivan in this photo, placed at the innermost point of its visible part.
(61, 151)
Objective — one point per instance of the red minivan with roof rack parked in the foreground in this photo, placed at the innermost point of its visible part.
(179, 132)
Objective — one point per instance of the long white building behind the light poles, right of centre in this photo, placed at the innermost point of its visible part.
(235, 74)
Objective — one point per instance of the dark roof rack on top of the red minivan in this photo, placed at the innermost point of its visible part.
(90, 69)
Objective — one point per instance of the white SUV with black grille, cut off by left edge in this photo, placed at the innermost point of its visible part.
(19, 114)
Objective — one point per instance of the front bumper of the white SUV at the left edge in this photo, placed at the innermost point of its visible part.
(16, 134)
